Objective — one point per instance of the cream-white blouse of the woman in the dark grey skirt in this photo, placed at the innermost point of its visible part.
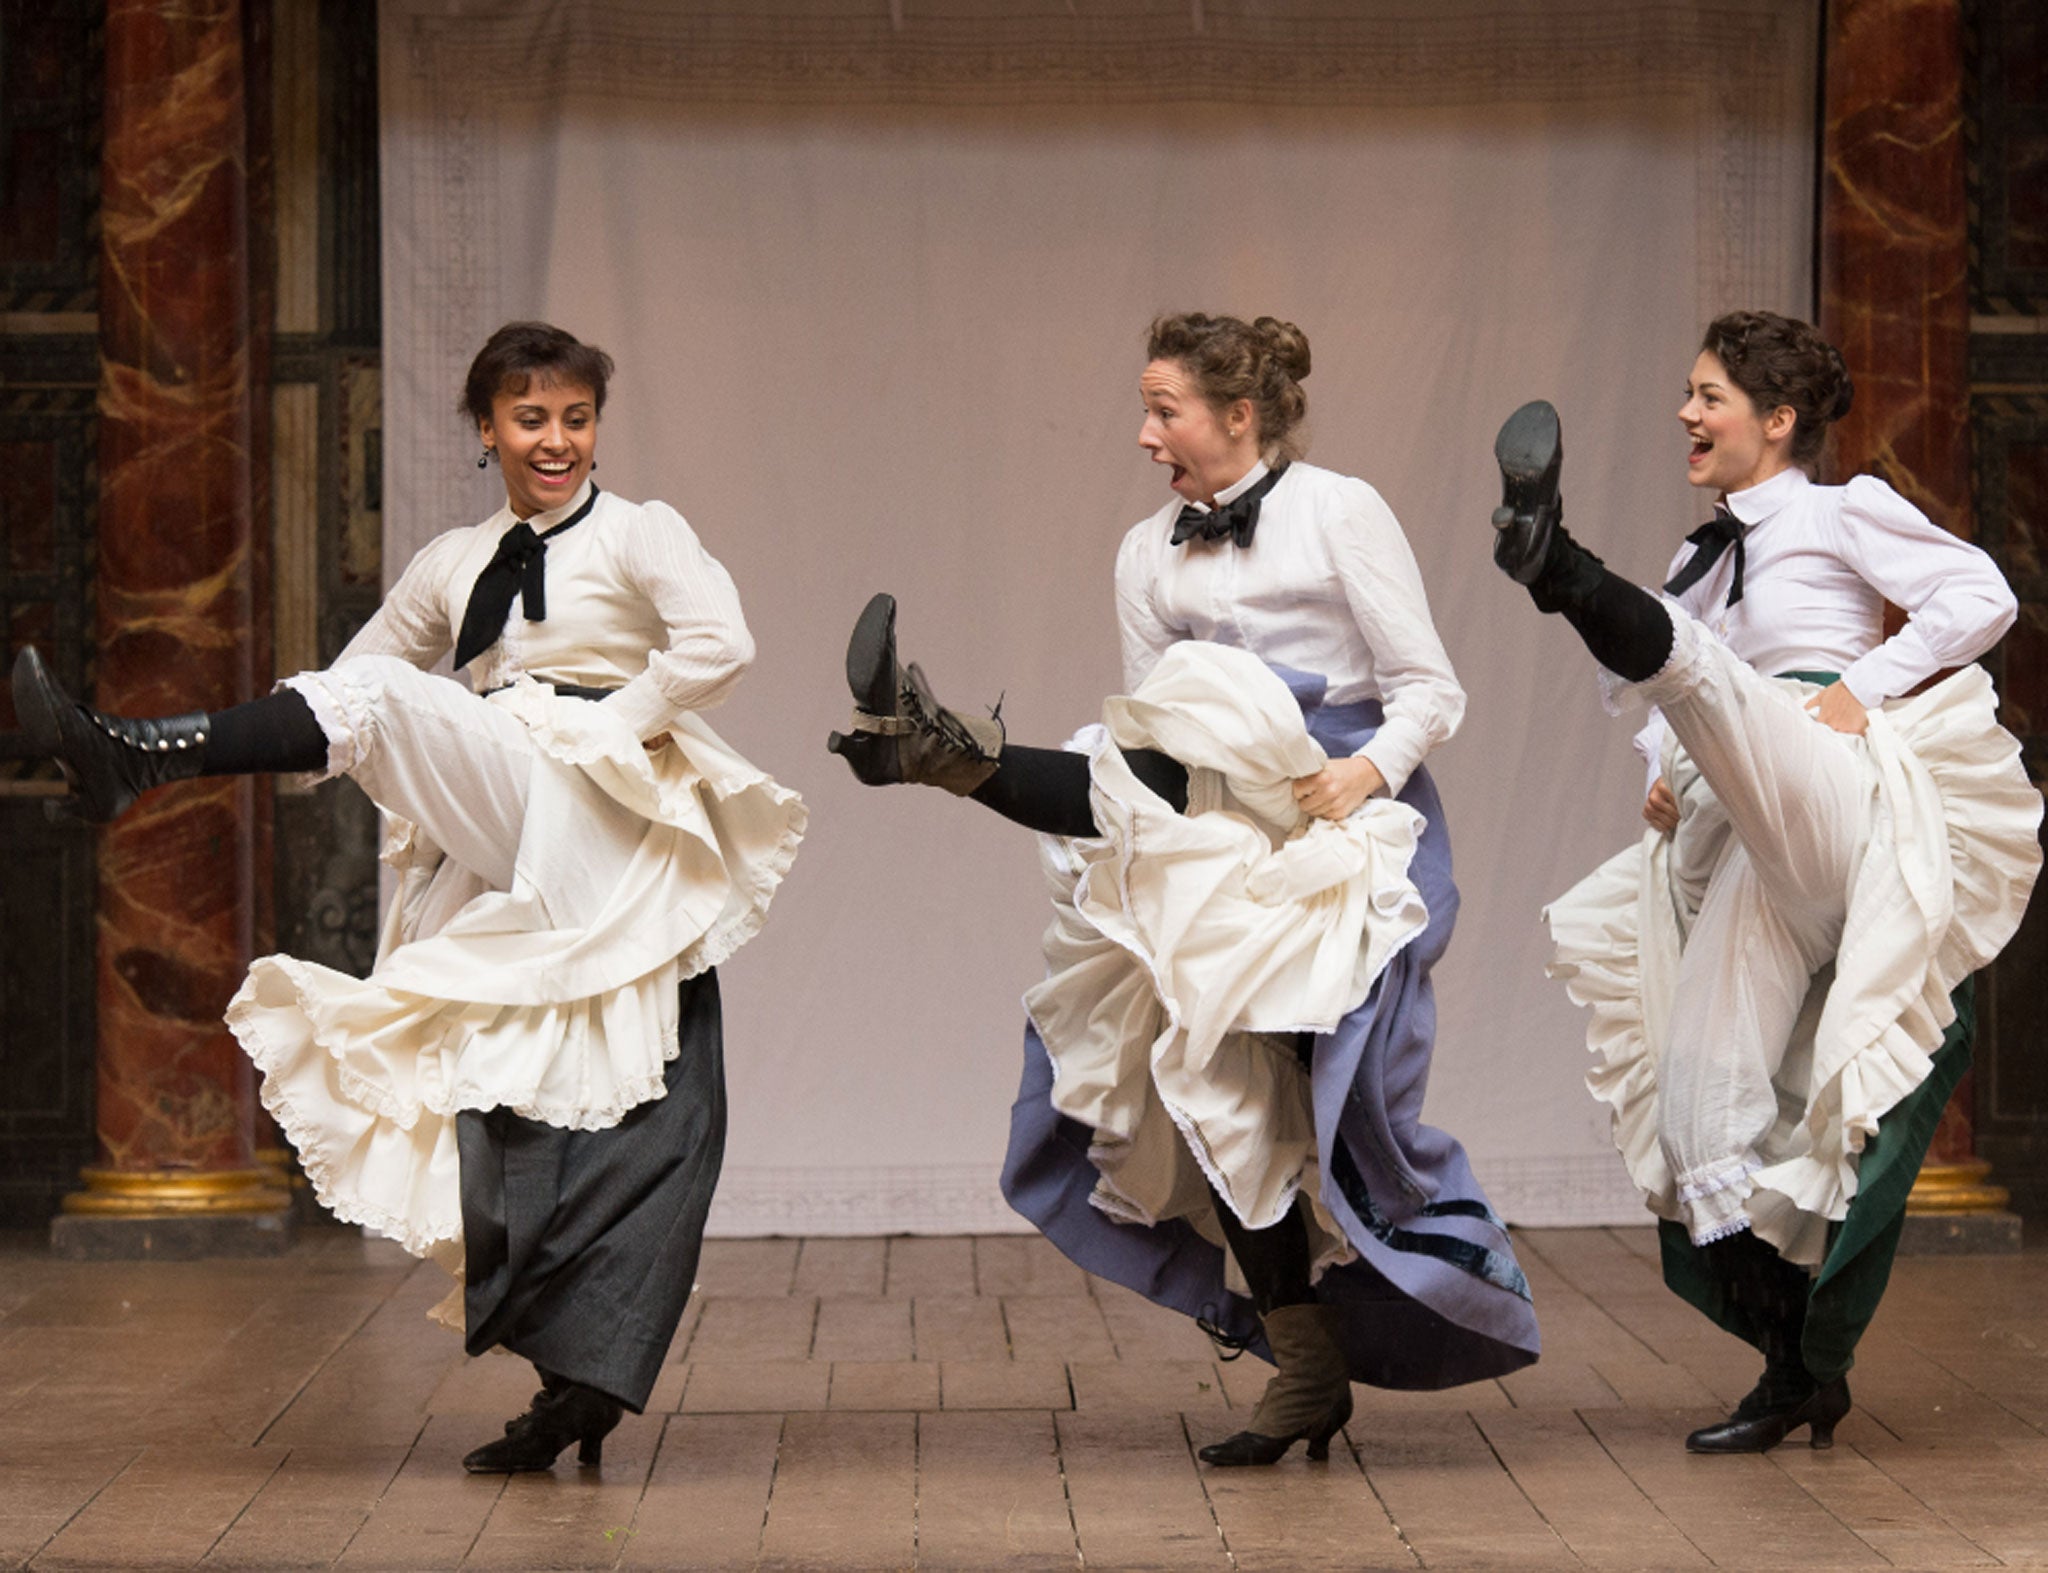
(634, 603)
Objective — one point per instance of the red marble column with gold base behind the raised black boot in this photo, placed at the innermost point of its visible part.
(177, 876)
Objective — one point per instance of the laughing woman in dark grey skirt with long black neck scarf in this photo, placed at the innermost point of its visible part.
(529, 1087)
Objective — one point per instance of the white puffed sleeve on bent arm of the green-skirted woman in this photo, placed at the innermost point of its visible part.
(1955, 597)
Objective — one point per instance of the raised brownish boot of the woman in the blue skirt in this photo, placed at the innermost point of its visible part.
(900, 730)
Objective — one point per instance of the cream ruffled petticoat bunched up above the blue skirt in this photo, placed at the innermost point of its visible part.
(1187, 951)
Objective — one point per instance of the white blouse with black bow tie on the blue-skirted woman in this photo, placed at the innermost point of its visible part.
(1326, 587)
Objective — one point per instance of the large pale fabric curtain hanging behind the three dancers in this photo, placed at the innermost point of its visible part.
(878, 275)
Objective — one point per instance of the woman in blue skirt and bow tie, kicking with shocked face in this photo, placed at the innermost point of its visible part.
(1250, 874)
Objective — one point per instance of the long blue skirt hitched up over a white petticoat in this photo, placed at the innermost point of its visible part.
(1435, 1298)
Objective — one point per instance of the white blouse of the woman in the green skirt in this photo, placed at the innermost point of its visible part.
(1822, 562)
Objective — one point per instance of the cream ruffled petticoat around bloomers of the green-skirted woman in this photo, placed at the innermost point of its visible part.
(1936, 894)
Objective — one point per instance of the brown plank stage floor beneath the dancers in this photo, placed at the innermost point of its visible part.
(978, 1404)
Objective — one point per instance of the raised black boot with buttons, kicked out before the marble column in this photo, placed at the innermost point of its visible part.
(108, 759)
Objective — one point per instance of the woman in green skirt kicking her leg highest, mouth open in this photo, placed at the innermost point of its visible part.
(1779, 974)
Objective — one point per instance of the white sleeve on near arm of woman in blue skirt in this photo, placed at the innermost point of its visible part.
(1383, 591)
